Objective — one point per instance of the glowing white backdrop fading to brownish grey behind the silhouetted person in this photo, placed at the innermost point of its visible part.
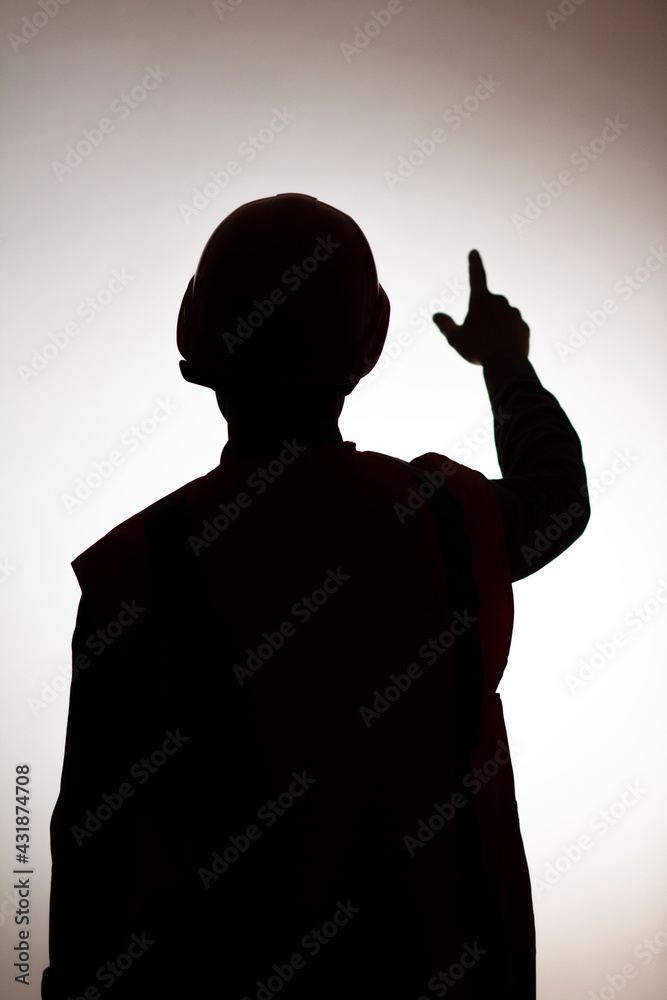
(353, 119)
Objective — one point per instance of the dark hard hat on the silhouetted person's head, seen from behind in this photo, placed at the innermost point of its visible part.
(285, 293)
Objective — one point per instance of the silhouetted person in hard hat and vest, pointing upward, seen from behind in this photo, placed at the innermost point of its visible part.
(286, 768)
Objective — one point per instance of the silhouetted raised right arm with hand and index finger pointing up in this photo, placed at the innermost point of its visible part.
(542, 496)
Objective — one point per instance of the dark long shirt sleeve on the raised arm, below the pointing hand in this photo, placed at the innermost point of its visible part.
(543, 496)
